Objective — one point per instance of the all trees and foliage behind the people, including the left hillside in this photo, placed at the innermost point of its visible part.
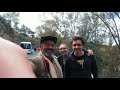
(99, 29)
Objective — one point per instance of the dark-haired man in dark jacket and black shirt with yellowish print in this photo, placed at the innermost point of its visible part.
(79, 64)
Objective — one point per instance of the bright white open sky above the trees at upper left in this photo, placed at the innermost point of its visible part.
(31, 19)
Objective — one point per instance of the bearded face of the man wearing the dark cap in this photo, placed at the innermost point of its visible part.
(48, 47)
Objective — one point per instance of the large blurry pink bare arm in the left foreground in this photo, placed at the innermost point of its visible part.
(14, 61)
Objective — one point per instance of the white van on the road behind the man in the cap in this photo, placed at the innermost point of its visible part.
(27, 46)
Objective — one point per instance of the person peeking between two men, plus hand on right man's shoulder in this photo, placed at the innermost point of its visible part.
(63, 49)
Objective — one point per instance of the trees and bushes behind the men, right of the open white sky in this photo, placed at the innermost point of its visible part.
(99, 29)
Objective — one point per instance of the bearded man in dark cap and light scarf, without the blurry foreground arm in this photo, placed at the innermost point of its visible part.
(46, 64)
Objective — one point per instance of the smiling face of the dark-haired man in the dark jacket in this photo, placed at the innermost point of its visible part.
(77, 46)
